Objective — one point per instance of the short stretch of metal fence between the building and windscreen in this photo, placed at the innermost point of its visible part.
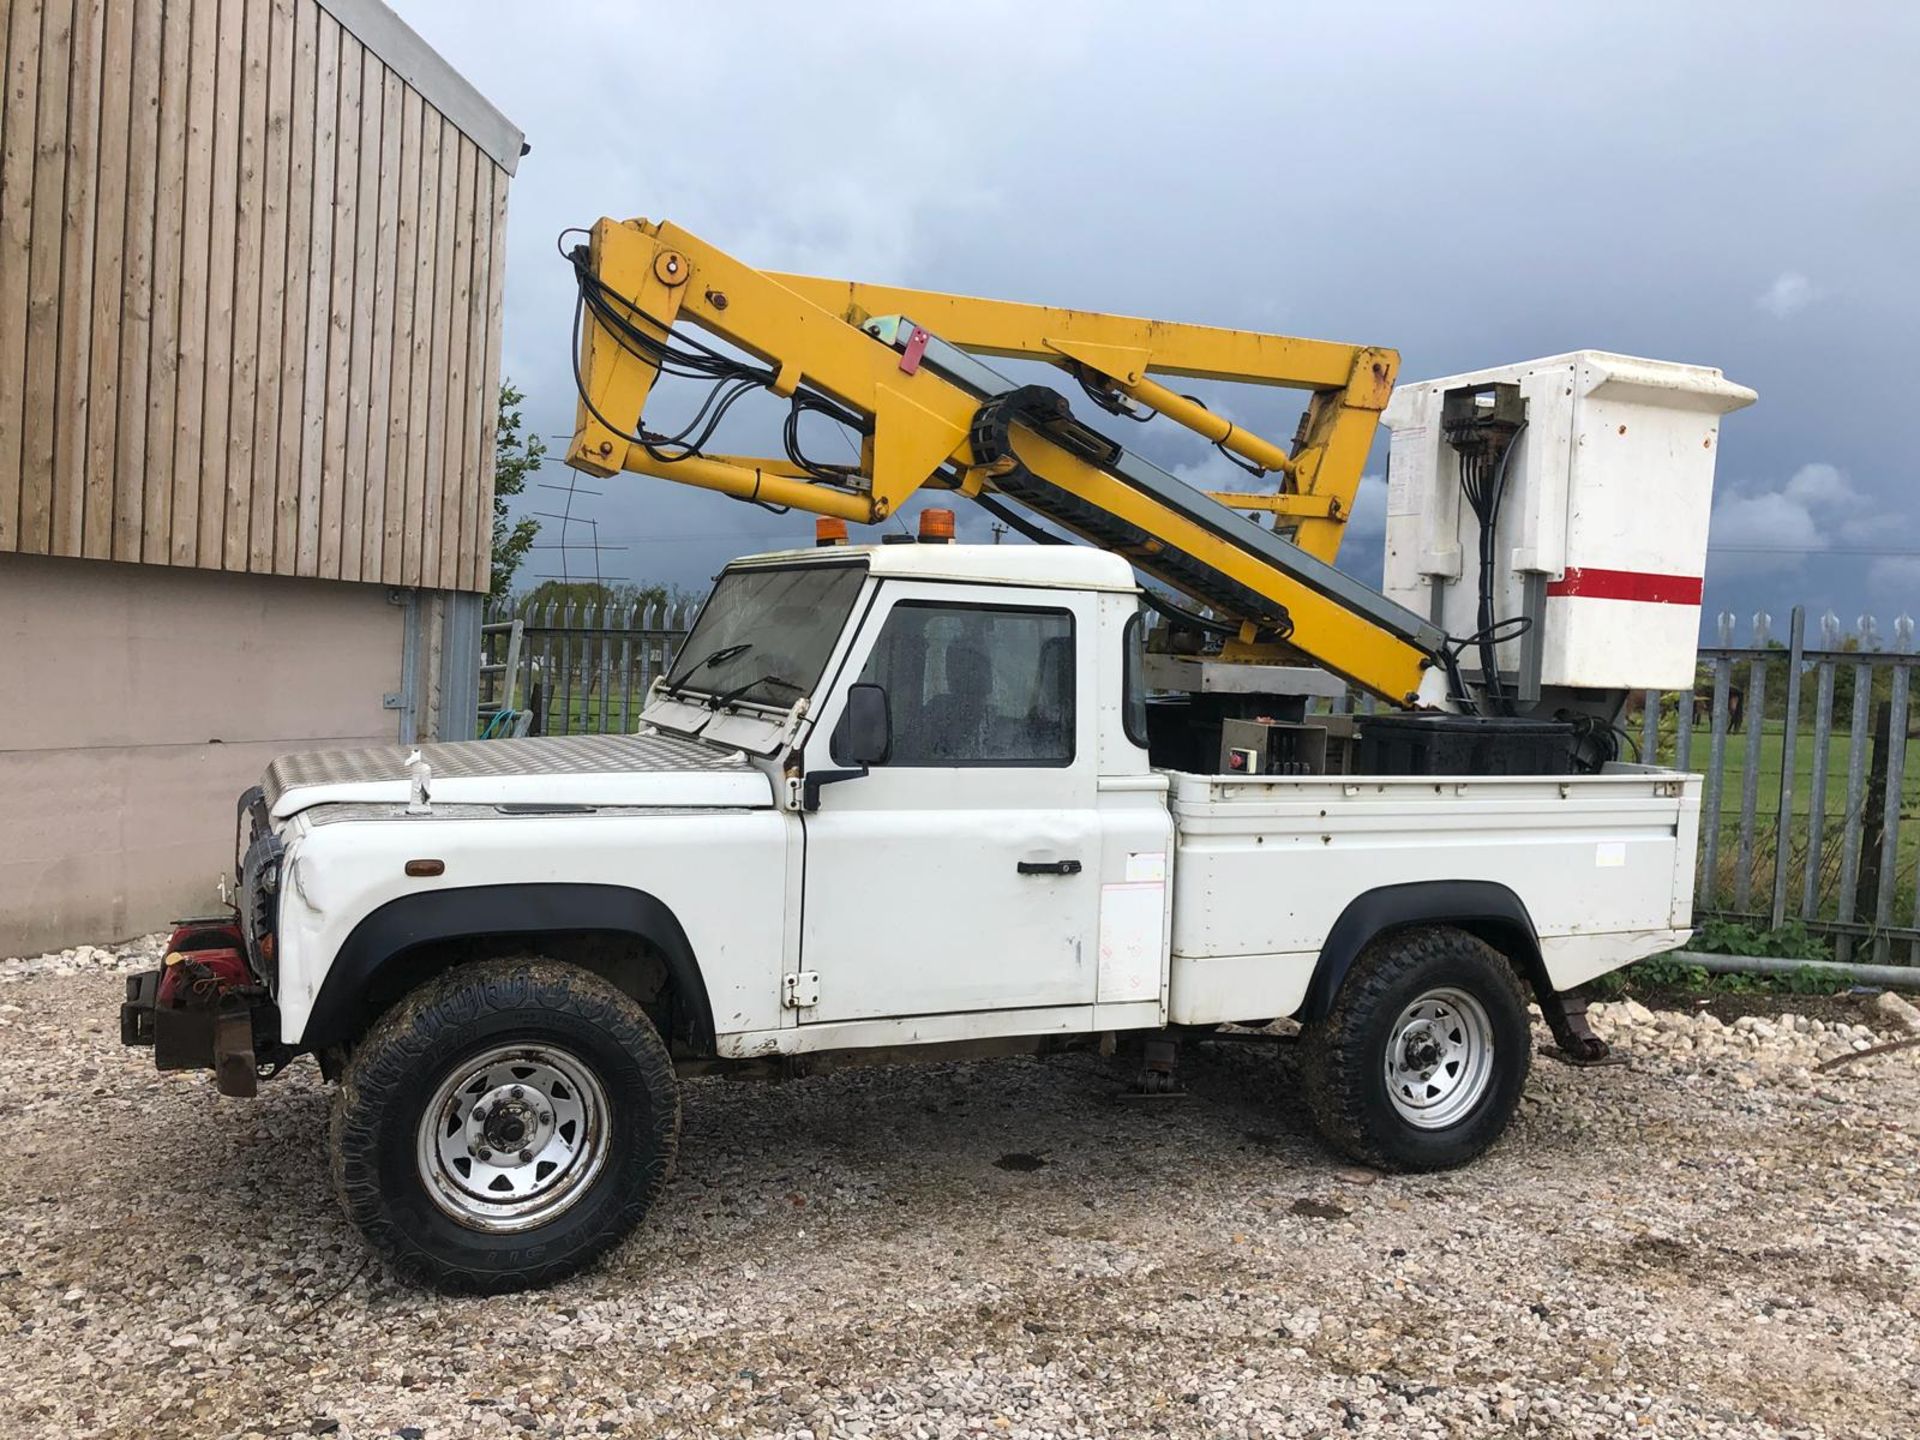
(575, 669)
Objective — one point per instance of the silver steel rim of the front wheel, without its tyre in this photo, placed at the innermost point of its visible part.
(514, 1138)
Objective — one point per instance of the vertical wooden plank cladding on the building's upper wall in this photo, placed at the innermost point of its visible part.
(251, 274)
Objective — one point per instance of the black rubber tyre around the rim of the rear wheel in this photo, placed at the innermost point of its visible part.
(1345, 1057)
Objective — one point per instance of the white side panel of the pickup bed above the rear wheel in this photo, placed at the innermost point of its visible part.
(1266, 869)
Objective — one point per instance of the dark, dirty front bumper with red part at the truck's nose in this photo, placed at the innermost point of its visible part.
(204, 1011)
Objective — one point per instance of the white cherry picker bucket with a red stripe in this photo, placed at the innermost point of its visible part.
(1600, 535)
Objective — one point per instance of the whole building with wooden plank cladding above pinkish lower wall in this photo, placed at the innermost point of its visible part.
(251, 337)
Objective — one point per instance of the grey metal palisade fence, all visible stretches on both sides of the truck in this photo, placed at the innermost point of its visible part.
(1810, 813)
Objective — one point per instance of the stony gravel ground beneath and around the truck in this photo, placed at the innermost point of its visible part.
(1710, 1241)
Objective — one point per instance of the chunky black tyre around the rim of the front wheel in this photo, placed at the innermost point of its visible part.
(421, 1044)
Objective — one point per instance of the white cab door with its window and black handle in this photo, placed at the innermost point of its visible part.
(963, 873)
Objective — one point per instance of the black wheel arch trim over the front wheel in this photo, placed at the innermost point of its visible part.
(391, 932)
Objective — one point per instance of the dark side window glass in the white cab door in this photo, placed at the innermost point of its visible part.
(976, 686)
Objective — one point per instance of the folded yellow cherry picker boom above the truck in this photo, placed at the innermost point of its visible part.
(909, 372)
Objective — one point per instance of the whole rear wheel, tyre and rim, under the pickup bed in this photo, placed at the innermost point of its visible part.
(1422, 1061)
